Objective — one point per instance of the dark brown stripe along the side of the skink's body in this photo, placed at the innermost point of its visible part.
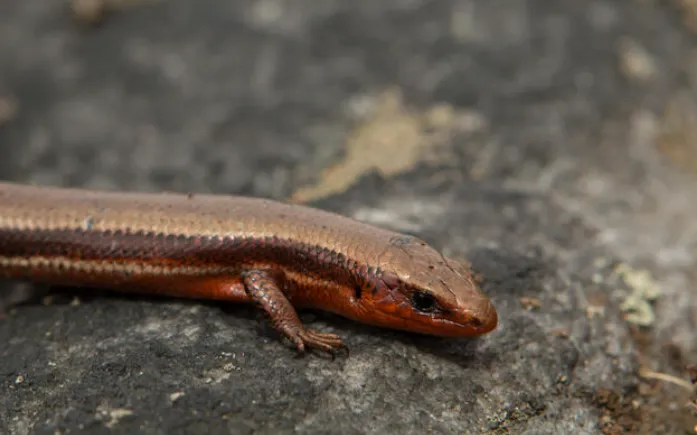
(188, 251)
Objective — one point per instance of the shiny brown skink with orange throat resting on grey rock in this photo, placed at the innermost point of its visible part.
(279, 256)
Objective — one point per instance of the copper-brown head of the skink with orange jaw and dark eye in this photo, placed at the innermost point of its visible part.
(417, 289)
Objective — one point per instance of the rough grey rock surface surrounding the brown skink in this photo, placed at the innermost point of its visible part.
(551, 143)
